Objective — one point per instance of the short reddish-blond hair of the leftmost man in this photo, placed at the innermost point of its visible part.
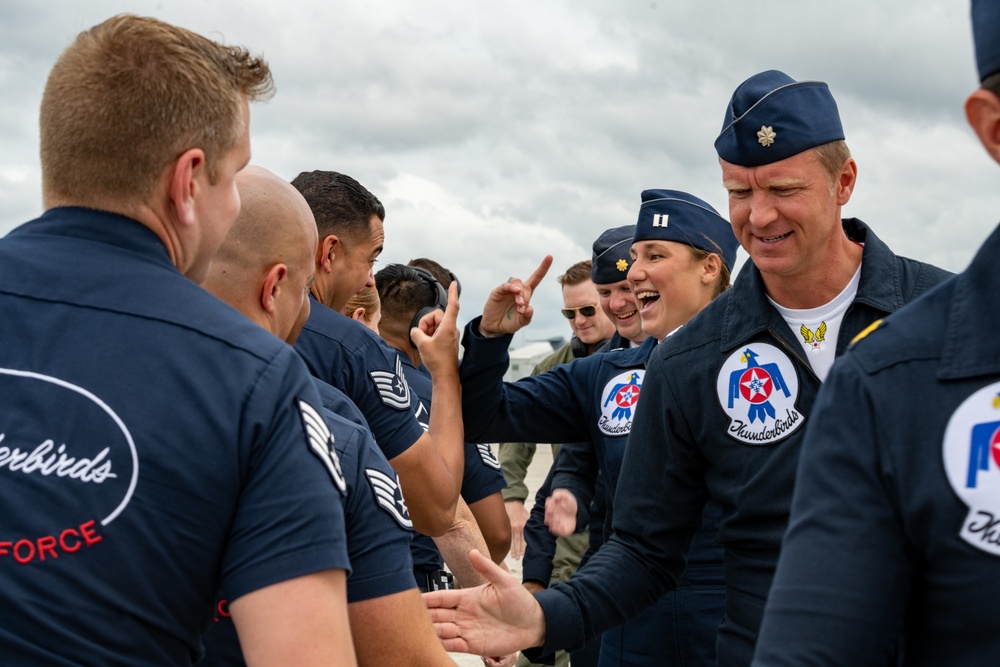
(132, 94)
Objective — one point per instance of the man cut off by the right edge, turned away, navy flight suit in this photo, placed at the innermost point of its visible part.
(892, 554)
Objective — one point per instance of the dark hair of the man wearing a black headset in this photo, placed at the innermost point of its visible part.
(405, 291)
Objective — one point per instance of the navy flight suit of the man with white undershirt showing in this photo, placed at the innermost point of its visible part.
(732, 390)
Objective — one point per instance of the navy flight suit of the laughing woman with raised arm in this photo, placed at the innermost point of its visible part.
(594, 399)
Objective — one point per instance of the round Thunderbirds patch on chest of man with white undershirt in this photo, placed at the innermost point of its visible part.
(758, 387)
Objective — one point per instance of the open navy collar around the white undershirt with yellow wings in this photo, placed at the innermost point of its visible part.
(748, 312)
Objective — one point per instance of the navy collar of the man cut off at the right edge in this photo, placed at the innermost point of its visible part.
(975, 302)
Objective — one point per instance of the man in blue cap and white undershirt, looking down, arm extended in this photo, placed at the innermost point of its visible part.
(735, 387)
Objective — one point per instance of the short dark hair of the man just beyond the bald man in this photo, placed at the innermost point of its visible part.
(341, 205)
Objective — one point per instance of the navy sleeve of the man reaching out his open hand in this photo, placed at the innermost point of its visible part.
(657, 511)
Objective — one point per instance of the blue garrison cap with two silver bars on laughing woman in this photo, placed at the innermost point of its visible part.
(671, 215)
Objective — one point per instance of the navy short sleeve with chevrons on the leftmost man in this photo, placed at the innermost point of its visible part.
(289, 520)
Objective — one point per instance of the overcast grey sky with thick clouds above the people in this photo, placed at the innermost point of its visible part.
(497, 132)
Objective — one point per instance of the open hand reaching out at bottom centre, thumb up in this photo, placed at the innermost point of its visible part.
(497, 618)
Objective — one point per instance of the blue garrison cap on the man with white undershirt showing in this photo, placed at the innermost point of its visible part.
(771, 116)
